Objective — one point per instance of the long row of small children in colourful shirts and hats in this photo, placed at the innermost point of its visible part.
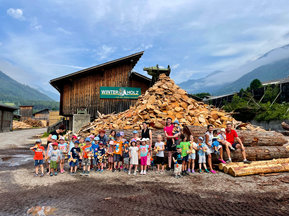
(116, 153)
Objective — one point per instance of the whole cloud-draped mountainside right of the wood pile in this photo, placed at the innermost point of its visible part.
(216, 81)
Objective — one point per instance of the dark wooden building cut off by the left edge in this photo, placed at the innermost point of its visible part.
(6, 118)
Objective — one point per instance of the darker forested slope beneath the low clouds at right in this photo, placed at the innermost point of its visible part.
(274, 71)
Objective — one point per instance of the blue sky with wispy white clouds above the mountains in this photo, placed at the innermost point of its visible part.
(41, 40)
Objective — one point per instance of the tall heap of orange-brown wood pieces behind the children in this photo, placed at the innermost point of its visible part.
(164, 99)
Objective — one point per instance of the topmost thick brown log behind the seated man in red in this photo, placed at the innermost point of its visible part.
(249, 138)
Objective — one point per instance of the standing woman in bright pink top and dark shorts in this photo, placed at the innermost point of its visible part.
(168, 129)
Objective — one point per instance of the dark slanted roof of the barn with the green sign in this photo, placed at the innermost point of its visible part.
(87, 70)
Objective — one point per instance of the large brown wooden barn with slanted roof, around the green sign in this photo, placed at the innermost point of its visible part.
(81, 90)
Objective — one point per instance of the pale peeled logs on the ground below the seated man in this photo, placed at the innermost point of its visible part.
(257, 167)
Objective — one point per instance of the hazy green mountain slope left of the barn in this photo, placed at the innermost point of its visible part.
(13, 91)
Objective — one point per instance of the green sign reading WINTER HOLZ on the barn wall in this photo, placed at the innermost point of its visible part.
(120, 92)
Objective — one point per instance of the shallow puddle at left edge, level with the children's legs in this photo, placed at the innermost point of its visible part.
(14, 160)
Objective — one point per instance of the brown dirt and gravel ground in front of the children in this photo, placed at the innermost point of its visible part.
(120, 194)
